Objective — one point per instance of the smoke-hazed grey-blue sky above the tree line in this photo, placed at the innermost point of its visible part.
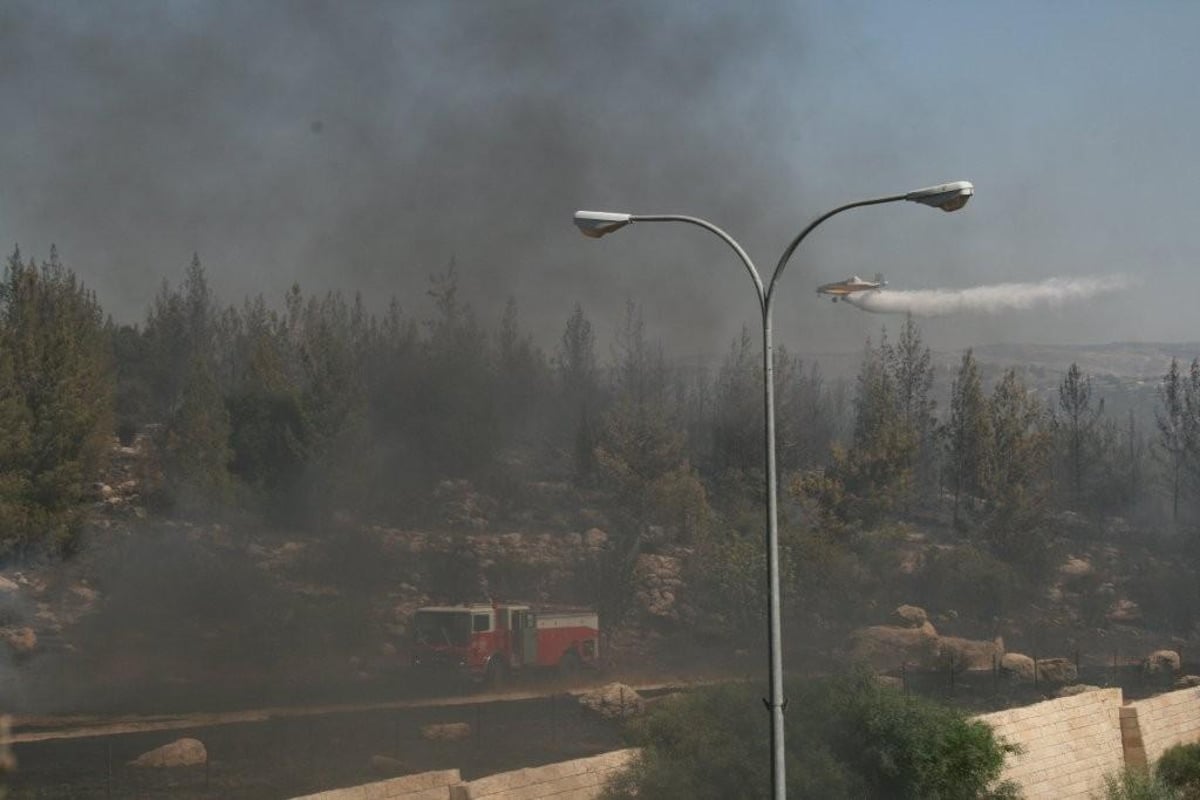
(364, 146)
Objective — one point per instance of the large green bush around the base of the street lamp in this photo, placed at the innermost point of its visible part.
(847, 738)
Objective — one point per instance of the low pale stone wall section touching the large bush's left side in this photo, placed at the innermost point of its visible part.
(579, 780)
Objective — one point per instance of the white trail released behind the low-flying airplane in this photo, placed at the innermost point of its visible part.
(988, 300)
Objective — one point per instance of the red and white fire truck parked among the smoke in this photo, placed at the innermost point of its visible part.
(488, 642)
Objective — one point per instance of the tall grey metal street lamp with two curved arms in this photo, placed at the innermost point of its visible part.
(947, 197)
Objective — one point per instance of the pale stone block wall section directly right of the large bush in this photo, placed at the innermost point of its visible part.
(1069, 745)
